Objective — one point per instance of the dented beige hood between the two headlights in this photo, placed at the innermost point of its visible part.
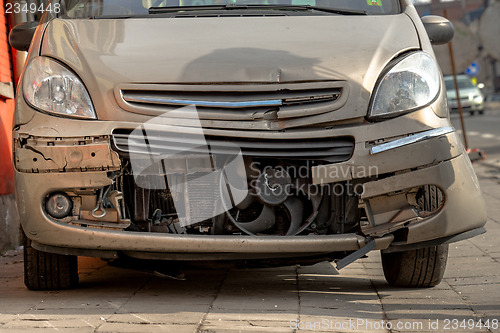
(107, 53)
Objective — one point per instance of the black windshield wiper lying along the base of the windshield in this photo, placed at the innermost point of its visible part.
(161, 10)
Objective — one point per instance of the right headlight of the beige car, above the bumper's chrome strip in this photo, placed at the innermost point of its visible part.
(412, 83)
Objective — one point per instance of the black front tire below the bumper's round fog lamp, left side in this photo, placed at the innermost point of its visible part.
(48, 271)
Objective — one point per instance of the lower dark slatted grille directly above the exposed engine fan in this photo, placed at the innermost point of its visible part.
(336, 149)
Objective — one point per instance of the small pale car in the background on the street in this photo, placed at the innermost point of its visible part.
(471, 97)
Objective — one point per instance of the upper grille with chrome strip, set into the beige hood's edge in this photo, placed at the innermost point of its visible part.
(235, 102)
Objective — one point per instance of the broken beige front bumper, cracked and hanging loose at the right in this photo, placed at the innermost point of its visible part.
(384, 160)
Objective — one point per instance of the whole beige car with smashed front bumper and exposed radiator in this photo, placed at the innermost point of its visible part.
(207, 139)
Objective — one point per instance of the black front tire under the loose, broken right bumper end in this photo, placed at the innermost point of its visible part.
(420, 268)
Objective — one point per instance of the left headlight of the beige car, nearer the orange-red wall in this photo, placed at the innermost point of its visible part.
(51, 87)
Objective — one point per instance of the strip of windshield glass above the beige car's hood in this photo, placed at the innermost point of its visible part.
(103, 8)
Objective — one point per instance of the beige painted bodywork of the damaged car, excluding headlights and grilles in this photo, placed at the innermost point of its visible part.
(199, 53)
